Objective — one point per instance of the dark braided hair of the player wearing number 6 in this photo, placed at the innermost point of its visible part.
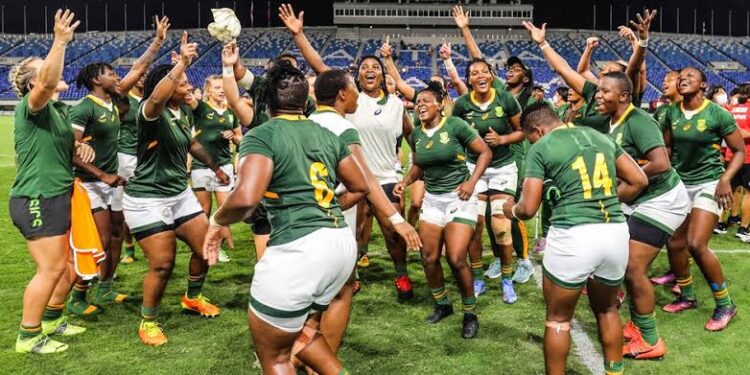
(287, 88)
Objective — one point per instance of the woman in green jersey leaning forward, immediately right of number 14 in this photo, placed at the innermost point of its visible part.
(652, 217)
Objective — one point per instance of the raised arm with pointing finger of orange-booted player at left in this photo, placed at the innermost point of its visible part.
(154, 105)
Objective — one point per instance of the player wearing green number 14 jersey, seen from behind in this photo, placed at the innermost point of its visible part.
(591, 173)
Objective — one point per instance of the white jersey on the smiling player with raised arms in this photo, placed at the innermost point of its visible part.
(380, 123)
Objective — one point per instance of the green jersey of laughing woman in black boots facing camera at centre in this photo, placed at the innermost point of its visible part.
(441, 153)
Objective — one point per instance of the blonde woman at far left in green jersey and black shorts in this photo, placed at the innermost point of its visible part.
(40, 199)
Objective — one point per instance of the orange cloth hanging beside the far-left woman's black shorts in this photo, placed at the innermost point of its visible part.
(84, 238)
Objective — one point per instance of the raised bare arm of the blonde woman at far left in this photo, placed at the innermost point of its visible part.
(51, 70)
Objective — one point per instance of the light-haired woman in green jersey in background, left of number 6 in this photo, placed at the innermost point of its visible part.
(216, 127)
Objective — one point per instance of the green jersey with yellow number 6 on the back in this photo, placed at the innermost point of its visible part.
(300, 198)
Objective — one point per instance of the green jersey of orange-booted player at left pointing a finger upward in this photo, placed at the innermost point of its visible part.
(163, 145)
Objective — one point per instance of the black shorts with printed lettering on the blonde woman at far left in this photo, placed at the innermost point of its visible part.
(41, 217)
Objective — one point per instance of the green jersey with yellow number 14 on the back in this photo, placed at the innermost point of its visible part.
(580, 161)
